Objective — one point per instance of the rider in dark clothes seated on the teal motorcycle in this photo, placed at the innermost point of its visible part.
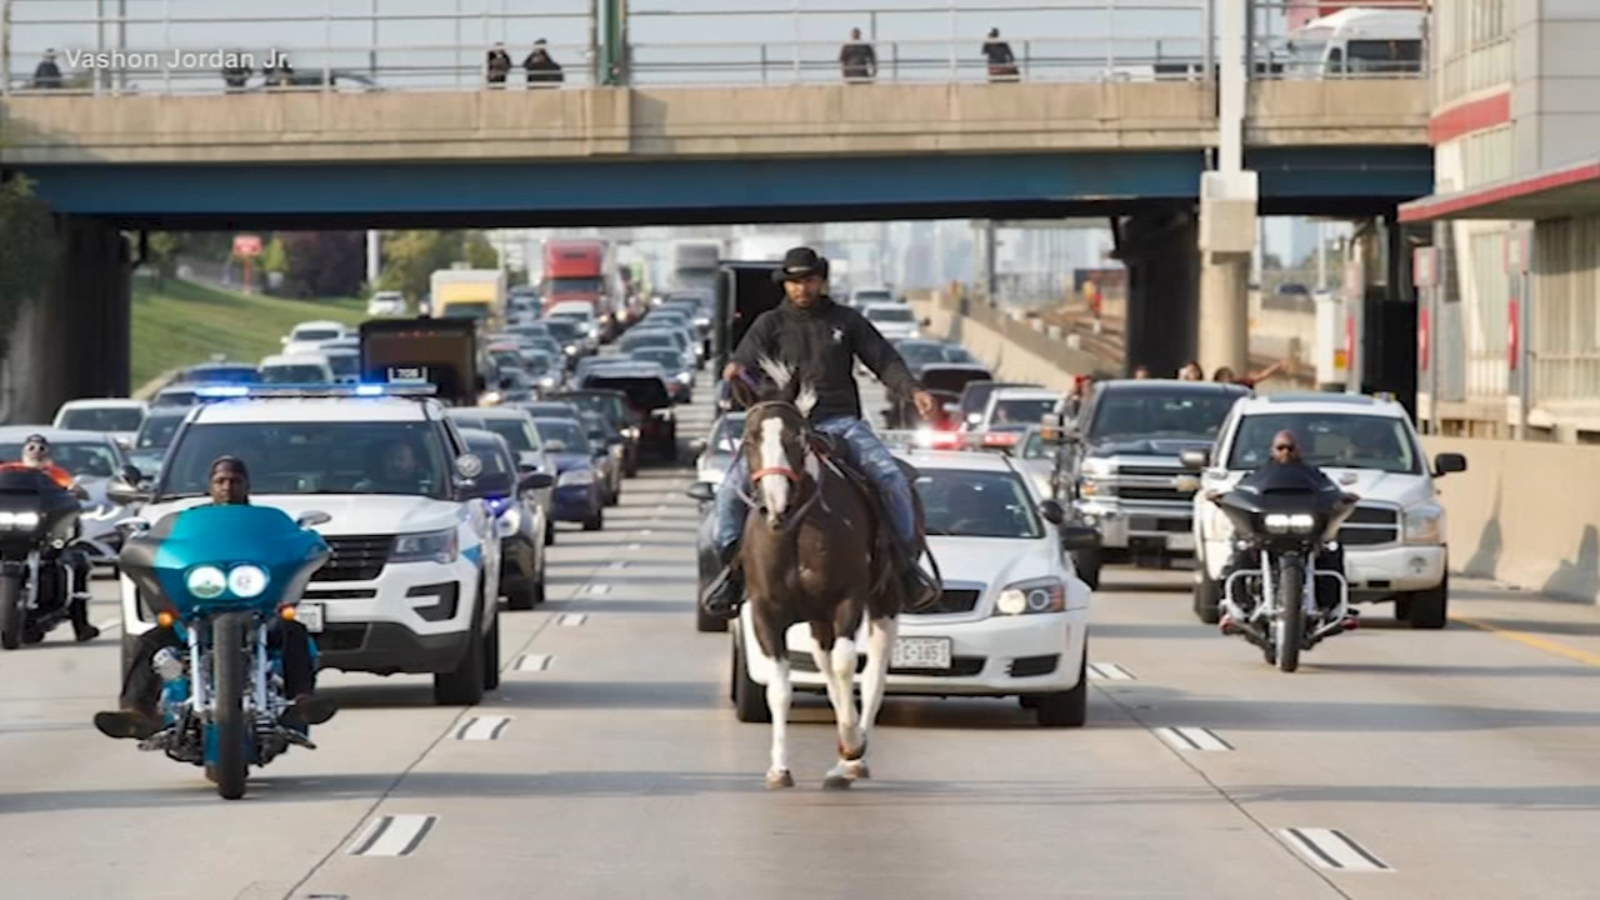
(142, 686)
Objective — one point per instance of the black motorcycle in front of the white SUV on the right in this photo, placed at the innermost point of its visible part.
(1287, 592)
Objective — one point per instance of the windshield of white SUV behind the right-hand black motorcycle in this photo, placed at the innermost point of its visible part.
(1332, 441)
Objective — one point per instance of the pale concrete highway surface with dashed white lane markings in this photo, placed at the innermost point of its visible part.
(1398, 765)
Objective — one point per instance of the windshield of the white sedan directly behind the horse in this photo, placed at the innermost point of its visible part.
(961, 504)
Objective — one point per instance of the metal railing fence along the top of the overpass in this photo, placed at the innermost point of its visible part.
(129, 50)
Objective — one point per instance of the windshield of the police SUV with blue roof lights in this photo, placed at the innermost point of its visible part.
(313, 457)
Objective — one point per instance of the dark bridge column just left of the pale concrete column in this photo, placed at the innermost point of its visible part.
(1159, 252)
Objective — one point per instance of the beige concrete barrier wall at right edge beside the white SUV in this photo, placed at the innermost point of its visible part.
(1526, 515)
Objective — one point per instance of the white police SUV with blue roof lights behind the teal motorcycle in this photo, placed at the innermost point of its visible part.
(414, 581)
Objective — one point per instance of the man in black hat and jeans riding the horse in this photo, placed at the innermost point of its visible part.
(822, 340)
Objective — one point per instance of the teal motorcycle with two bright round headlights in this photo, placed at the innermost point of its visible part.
(220, 576)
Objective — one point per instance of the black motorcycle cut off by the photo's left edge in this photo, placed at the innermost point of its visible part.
(41, 556)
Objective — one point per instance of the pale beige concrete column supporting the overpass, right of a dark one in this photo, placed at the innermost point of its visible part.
(1228, 243)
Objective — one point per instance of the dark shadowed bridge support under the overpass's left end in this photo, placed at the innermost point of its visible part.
(74, 339)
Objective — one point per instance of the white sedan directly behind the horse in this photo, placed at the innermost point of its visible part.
(1012, 622)
